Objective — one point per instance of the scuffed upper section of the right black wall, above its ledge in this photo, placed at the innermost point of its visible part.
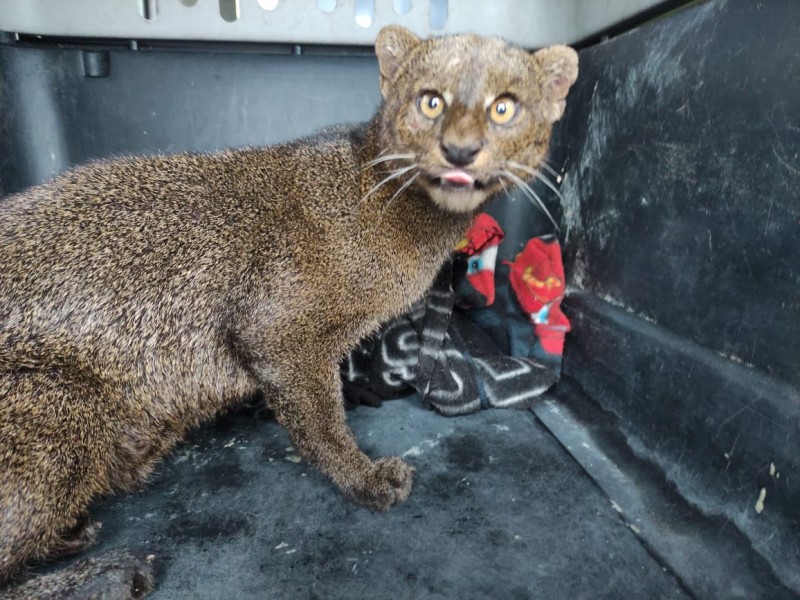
(687, 178)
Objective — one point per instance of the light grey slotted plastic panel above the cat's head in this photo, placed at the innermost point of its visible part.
(529, 22)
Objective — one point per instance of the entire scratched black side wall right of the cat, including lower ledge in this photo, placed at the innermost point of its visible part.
(683, 202)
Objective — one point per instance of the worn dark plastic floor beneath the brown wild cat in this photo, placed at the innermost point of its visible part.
(499, 510)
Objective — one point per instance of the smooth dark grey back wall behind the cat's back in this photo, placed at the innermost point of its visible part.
(164, 101)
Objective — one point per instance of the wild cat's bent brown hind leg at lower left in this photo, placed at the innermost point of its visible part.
(55, 446)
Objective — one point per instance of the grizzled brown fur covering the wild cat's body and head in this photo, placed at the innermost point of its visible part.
(140, 297)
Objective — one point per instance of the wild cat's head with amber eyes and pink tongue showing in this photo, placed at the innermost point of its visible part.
(468, 112)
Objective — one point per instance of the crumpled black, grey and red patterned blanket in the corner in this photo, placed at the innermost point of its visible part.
(457, 365)
